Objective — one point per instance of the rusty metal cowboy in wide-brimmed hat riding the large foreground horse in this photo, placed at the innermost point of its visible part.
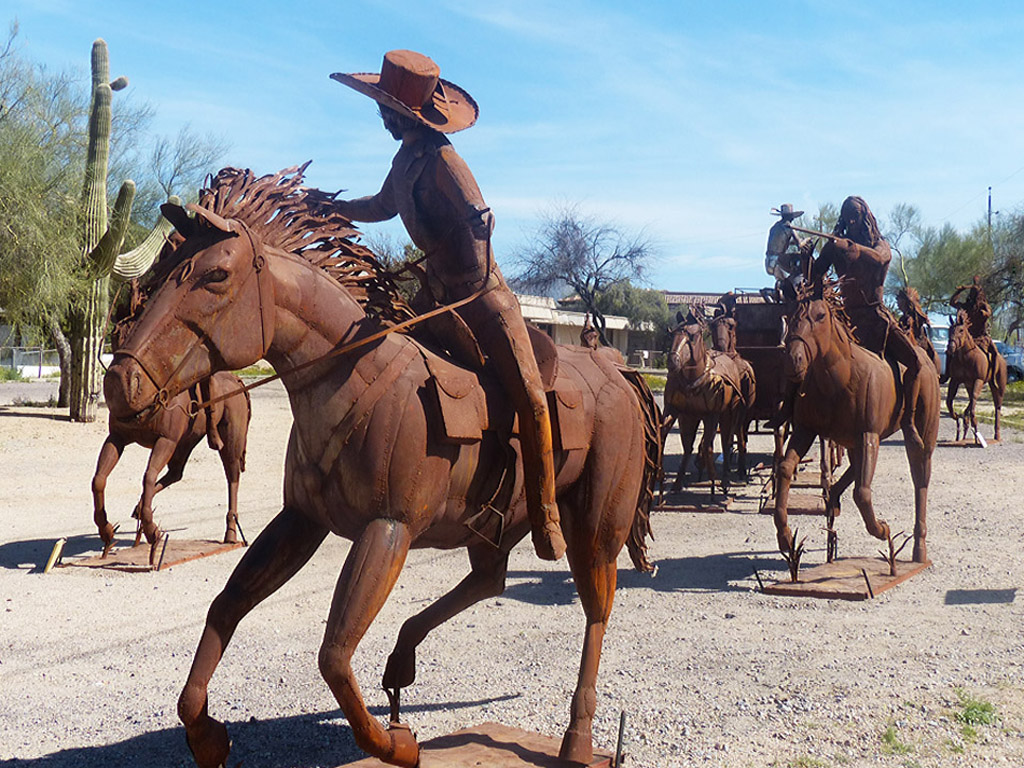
(434, 192)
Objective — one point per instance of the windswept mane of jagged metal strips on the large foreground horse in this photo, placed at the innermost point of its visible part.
(300, 221)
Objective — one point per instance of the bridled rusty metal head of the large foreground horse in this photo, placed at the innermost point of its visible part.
(212, 314)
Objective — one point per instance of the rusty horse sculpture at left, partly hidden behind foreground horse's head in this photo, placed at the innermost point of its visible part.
(173, 434)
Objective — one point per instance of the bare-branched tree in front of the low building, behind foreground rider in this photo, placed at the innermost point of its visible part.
(589, 258)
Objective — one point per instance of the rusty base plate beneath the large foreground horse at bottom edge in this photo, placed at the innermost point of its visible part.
(494, 746)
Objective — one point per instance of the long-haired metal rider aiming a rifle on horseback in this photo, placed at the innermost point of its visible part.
(861, 257)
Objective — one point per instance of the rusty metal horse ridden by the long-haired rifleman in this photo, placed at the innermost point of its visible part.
(851, 397)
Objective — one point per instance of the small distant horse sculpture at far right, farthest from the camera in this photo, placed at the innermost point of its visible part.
(969, 365)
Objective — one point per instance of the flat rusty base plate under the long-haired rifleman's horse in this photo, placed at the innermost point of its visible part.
(844, 579)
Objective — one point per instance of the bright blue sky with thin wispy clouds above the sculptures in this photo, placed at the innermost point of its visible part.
(687, 120)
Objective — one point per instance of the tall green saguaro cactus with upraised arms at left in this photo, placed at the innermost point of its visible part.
(102, 240)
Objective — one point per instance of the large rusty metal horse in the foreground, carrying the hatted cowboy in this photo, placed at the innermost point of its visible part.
(369, 458)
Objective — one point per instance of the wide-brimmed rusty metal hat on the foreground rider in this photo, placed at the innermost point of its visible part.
(410, 83)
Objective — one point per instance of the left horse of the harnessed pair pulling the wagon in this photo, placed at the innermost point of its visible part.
(703, 388)
